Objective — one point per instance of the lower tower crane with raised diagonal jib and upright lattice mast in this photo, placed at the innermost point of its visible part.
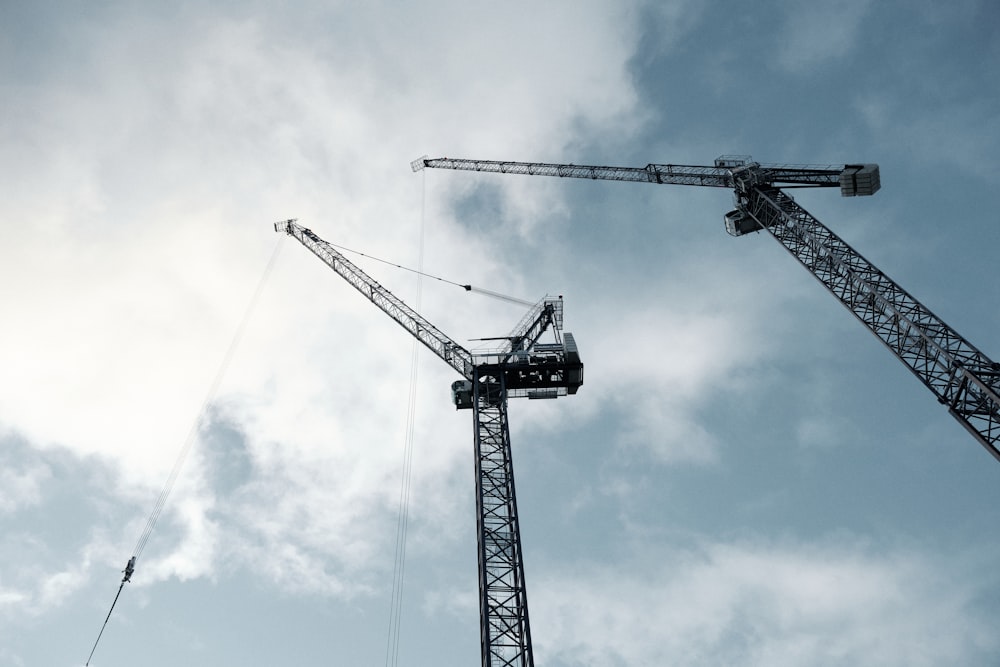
(521, 367)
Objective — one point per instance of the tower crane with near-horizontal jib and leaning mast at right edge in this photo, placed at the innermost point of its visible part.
(961, 377)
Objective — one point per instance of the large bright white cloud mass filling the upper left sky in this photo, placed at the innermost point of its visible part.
(148, 181)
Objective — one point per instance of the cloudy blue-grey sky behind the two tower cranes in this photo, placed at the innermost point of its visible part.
(747, 476)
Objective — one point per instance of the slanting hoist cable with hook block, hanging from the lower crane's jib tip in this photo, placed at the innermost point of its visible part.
(161, 500)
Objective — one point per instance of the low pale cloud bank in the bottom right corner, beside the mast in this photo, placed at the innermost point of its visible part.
(754, 603)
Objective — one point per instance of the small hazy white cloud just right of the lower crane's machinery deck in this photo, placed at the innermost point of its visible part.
(673, 353)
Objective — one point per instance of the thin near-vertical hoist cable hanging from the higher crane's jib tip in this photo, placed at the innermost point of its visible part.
(402, 519)
